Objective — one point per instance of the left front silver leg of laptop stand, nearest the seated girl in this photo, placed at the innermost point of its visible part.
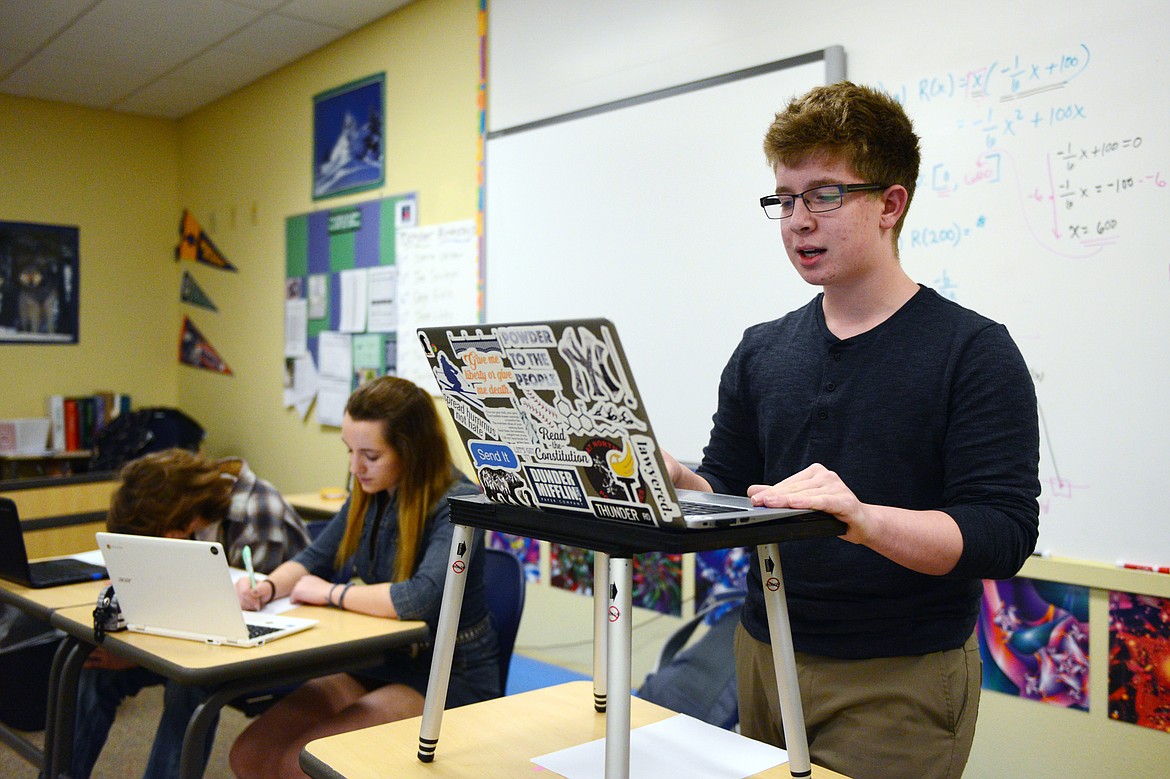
(445, 642)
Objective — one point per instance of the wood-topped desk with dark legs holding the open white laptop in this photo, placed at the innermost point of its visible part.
(342, 642)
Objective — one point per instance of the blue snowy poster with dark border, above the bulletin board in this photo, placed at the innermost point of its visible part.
(348, 144)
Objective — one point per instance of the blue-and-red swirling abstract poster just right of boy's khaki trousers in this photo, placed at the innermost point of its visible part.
(1035, 642)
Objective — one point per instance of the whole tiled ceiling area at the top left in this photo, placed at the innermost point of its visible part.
(152, 57)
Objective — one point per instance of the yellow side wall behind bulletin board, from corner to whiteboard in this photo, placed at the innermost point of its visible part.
(247, 168)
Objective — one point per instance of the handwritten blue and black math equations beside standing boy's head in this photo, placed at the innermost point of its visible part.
(999, 121)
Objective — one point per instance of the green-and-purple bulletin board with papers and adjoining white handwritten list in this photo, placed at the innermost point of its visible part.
(360, 280)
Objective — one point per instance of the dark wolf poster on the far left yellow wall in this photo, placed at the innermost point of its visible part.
(39, 284)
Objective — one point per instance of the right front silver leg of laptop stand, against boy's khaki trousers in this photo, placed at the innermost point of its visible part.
(784, 661)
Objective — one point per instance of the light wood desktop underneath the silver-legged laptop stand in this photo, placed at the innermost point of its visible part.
(493, 740)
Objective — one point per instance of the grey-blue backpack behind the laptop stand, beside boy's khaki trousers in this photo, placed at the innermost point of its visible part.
(700, 680)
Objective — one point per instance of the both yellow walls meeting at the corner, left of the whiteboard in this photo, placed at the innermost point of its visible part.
(242, 166)
